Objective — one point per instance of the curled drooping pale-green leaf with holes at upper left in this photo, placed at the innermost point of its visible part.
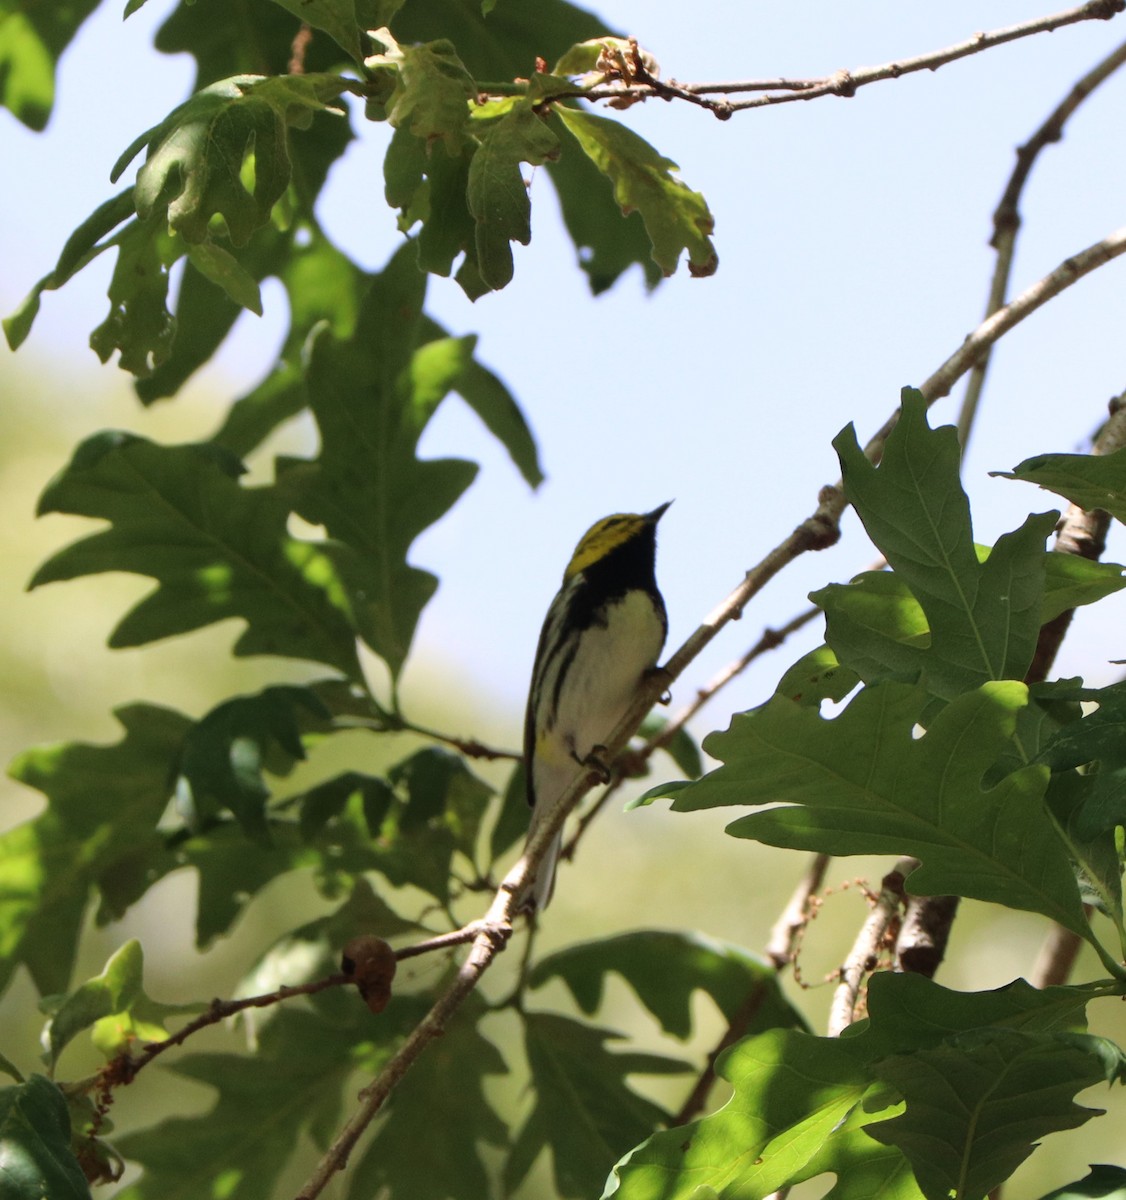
(199, 157)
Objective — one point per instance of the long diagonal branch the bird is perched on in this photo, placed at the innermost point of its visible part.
(817, 532)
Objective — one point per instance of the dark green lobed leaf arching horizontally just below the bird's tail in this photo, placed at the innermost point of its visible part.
(666, 969)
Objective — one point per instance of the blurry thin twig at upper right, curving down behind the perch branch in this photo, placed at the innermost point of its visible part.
(1007, 218)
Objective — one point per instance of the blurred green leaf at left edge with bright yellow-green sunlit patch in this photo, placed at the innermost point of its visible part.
(99, 831)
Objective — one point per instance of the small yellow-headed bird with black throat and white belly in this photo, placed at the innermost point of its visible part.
(602, 635)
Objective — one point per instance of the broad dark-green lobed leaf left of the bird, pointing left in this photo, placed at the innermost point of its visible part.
(217, 550)
